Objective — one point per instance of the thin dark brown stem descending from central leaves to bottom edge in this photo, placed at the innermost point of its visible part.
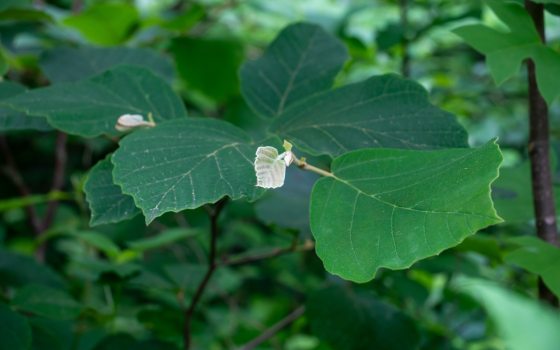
(214, 212)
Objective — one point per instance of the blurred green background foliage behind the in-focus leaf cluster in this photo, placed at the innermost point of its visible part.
(125, 285)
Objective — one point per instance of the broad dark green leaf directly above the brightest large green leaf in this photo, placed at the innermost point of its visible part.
(384, 111)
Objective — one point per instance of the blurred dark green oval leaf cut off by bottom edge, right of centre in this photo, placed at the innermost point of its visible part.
(355, 321)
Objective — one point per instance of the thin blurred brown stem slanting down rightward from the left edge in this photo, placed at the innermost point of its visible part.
(11, 170)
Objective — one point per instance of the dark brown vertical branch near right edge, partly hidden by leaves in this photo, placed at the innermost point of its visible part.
(543, 196)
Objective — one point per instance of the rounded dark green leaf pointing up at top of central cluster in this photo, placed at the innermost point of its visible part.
(303, 60)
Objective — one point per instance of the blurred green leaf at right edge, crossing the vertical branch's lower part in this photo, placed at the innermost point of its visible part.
(538, 257)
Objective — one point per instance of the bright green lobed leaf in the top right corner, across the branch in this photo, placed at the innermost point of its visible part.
(505, 51)
